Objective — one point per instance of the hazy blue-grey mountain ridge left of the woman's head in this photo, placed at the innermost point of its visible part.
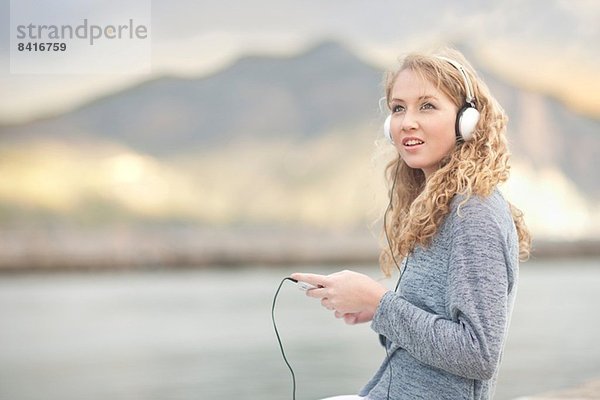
(257, 97)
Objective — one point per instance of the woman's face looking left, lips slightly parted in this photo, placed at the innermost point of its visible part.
(422, 122)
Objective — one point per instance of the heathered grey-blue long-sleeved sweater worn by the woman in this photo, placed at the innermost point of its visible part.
(447, 323)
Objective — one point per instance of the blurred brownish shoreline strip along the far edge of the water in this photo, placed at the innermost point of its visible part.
(192, 247)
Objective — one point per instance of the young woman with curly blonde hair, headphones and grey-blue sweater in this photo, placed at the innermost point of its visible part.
(458, 239)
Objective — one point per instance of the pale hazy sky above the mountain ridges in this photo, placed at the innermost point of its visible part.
(195, 37)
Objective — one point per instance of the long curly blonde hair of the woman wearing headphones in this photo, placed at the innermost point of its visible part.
(419, 206)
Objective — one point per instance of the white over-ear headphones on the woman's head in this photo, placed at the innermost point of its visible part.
(467, 116)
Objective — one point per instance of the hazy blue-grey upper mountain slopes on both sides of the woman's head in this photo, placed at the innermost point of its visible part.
(326, 87)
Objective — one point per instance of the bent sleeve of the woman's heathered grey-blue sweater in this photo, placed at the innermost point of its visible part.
(468, 340)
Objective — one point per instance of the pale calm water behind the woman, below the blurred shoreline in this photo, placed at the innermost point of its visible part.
(208, 334)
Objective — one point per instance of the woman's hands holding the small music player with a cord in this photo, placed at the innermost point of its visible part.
(351, 295)
